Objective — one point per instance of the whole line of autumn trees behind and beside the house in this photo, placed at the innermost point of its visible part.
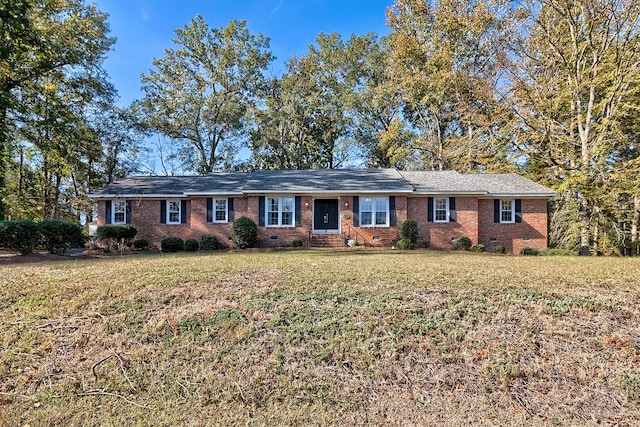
(545, 88)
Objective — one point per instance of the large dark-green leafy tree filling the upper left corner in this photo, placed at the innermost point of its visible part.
(41, 41)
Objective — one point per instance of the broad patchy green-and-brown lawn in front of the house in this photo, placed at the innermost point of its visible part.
(321, 338)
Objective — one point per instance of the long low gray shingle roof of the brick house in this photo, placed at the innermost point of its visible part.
(337, 181)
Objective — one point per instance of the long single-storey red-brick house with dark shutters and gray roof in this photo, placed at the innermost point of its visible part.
(333, 207)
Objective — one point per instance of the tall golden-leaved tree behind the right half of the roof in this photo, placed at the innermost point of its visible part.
(447, 60)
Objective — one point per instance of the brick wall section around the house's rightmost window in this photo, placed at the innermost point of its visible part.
(531, 232)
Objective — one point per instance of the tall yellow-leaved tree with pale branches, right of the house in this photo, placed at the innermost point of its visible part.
(573, 84)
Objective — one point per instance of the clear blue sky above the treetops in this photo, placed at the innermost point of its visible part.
(144, 28)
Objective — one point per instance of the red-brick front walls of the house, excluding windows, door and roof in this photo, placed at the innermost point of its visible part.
(474, 220)
